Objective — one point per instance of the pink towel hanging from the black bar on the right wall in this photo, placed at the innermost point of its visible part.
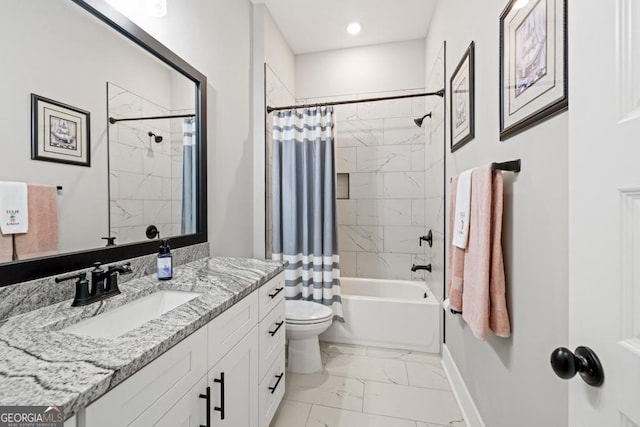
(479, 292)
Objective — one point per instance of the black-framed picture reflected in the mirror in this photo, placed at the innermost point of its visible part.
(59, 132)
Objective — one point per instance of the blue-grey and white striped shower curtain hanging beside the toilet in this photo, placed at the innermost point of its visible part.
(304, 206)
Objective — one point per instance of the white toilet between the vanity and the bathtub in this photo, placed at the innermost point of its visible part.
(305, 321)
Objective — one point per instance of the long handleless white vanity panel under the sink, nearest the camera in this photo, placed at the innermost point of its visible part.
(159, 384)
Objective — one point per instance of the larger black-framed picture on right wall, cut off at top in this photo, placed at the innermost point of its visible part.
(533, 64)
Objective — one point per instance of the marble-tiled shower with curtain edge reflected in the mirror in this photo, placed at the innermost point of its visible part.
(152, 163)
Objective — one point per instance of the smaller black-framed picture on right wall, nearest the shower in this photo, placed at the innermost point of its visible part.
(462, 100)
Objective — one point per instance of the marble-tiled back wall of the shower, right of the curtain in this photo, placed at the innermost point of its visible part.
(387, 187)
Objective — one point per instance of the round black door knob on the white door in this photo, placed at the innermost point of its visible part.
(585, 362)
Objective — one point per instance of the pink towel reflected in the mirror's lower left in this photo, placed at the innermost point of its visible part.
(42, 238)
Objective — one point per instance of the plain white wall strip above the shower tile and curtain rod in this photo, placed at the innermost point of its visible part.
(378, 68)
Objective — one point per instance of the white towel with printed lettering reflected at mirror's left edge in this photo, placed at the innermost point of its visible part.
(14, 210)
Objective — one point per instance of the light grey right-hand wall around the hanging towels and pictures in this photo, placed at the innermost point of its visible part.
(510, 380)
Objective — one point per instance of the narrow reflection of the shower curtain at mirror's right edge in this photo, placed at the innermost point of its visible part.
(188, 177)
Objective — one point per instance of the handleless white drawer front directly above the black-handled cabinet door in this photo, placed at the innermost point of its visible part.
(227, 329)
